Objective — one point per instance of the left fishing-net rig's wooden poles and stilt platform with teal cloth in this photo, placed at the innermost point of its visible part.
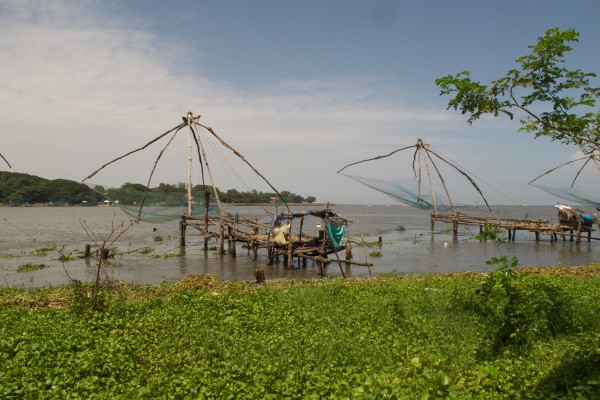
(284, 234)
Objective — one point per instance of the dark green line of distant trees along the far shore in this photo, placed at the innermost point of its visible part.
(18, 188)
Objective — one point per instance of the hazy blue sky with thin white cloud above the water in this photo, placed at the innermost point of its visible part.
(299, 88)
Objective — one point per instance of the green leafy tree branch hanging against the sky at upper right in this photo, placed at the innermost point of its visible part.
(554, 101)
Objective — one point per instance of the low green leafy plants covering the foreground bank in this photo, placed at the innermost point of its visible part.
(507, 334)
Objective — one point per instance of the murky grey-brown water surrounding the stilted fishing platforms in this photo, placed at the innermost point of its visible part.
(26, 230)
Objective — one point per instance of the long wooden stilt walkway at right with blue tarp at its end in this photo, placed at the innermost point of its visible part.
(571, 224)
